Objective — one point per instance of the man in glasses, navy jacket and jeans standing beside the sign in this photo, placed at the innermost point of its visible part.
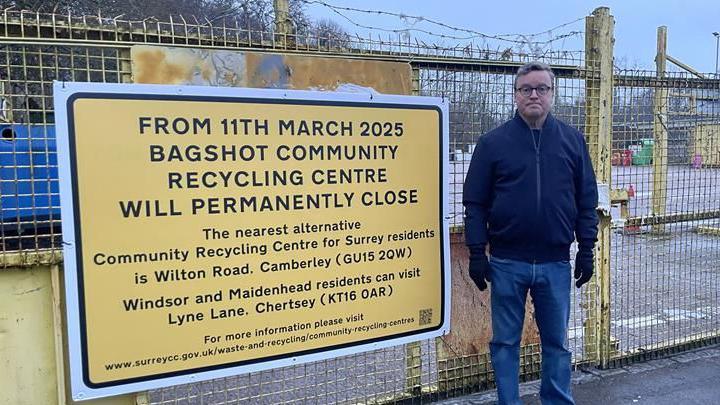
(530, 192)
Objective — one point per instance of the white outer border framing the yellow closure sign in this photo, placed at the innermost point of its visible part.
(63, 91)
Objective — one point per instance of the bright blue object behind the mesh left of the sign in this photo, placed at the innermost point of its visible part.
(29, 189)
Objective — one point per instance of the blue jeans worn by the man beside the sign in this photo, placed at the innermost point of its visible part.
(549, 286)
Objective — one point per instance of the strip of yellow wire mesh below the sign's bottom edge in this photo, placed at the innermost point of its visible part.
(372, 377)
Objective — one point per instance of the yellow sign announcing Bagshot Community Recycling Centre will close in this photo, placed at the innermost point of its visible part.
(226, 231)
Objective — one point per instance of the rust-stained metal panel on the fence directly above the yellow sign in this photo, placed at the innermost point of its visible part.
(169, 65)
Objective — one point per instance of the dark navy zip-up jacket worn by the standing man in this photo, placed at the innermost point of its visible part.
(531, 196)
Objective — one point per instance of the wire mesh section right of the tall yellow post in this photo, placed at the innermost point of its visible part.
(665, 242)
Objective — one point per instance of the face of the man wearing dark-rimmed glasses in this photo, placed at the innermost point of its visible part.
(534, 106)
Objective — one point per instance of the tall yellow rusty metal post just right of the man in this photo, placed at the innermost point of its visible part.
(598, 129)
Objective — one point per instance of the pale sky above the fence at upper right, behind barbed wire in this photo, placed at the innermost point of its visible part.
(690, 23)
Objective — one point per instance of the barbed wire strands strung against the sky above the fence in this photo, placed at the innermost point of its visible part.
(474, 34)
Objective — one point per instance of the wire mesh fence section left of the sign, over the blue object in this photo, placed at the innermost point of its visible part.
(29, 195)
